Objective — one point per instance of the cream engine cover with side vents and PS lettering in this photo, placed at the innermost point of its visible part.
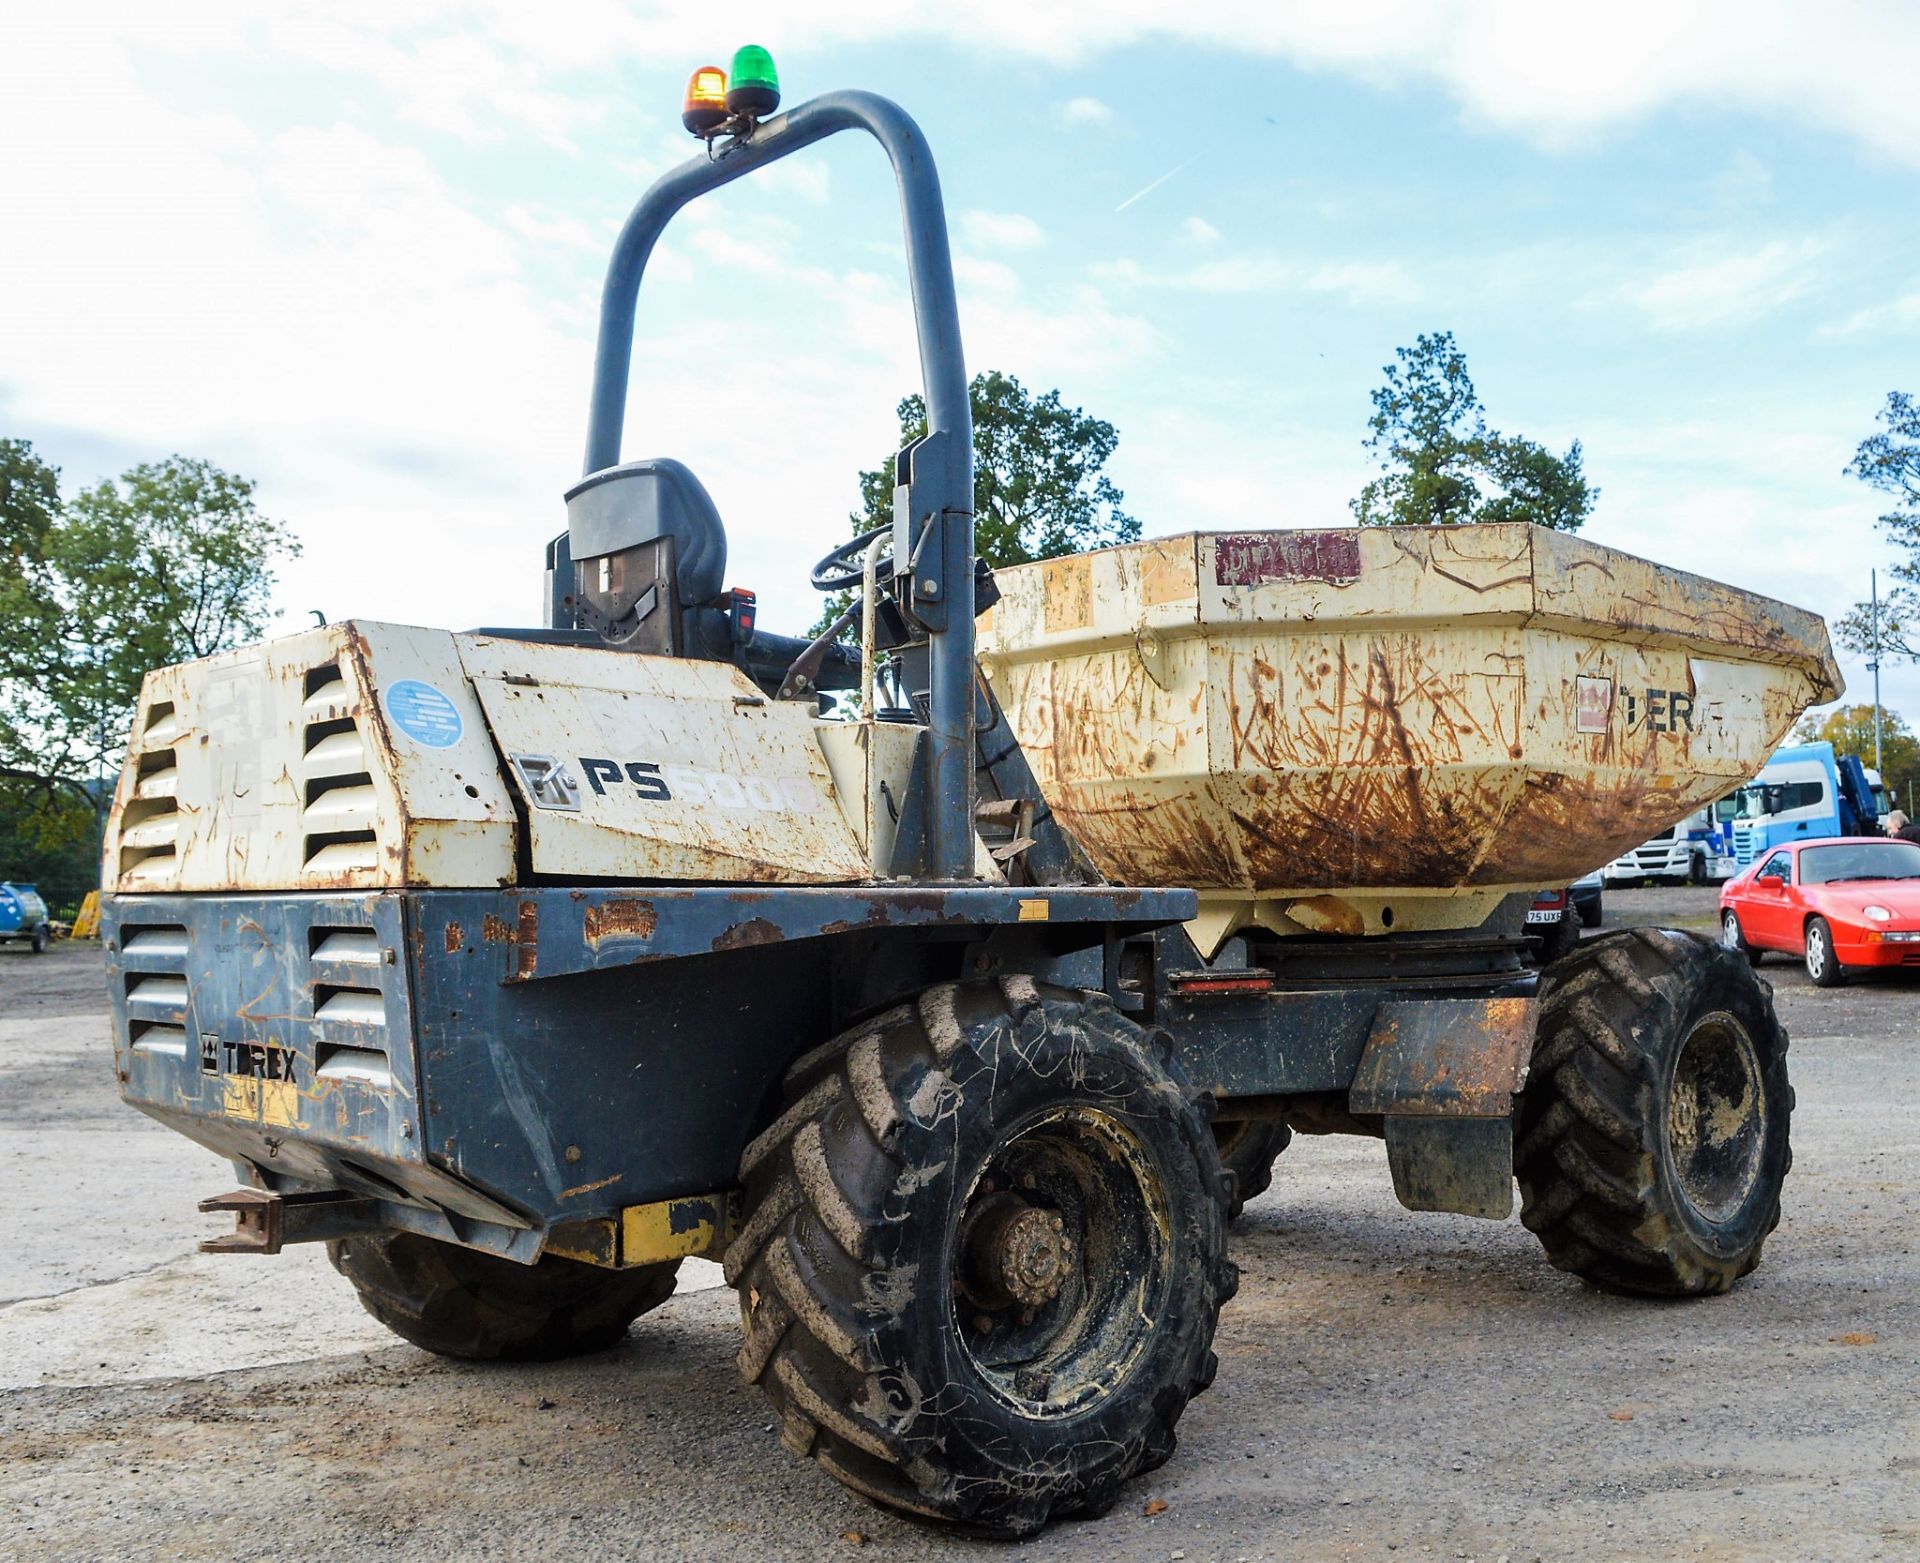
(379, 756)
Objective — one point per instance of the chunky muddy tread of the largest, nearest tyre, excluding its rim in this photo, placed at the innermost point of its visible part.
(823, 1309)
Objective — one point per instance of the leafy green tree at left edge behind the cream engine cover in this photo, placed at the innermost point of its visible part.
(162, 565)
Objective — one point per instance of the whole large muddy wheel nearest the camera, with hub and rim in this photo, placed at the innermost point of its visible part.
(984, 1255)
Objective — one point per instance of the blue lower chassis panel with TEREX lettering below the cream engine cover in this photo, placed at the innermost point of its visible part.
(556, 1053)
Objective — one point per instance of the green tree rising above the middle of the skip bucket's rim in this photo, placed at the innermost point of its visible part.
(1441, 466)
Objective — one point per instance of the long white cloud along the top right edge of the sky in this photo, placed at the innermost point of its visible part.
(1550, 74)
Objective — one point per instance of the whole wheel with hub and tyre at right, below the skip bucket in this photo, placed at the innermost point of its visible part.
(1652, 1138)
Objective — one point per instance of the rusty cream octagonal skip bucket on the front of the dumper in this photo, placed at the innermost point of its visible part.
(1385, 729)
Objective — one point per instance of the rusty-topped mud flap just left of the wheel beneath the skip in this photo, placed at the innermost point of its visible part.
(1445, 1074)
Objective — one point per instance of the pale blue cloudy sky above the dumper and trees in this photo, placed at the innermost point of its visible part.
(354, 252)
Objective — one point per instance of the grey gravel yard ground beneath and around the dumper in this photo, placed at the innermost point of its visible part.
(1393, 1385)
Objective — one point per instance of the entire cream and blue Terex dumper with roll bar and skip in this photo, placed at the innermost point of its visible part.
(959, 1021)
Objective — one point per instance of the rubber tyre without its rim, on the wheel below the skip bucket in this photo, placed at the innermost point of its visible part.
(1589, 1126)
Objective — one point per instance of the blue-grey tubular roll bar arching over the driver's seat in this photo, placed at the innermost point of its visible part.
(938, 491)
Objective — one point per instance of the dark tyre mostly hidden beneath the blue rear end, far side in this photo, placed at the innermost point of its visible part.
(468, 1305)
